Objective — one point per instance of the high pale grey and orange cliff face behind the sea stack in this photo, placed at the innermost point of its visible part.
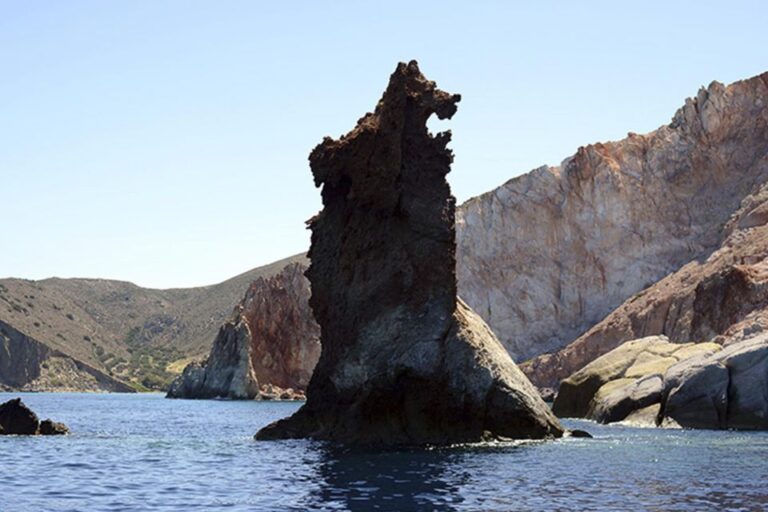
(549, 254)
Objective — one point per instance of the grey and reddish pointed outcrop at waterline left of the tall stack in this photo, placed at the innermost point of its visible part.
(267, 349)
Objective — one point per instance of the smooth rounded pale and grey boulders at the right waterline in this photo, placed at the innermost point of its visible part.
(653, 382)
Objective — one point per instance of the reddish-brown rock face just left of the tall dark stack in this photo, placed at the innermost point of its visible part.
(285, 339)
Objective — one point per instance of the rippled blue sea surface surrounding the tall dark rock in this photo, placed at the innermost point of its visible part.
(143, 452)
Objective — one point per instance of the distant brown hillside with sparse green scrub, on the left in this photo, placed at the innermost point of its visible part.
(122, 330)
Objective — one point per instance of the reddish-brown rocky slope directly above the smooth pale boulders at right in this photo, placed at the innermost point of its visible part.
(723, 299)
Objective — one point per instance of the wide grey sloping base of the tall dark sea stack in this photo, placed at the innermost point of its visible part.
(463, 387)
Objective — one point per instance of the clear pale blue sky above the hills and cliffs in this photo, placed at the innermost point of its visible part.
(166, 142)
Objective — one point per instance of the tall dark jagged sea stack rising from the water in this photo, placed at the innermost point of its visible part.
(403, 360)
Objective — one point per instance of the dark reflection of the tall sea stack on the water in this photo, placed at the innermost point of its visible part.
(403, 480)
